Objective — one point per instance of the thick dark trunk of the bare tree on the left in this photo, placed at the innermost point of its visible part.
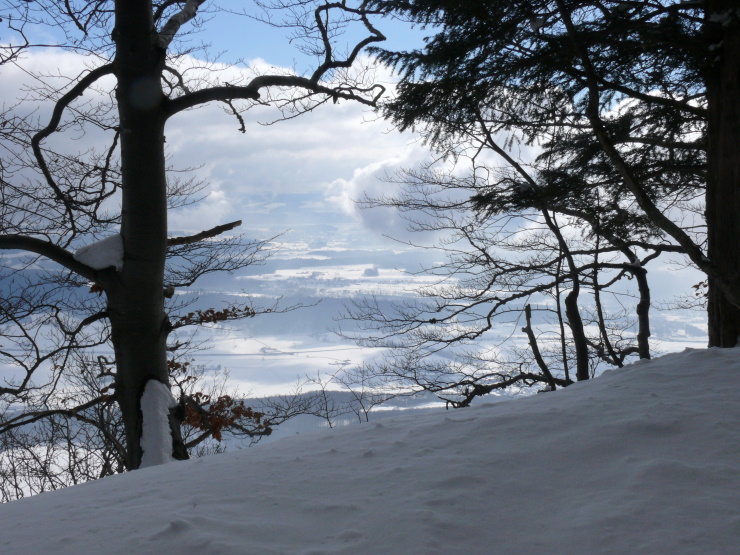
(139, 325)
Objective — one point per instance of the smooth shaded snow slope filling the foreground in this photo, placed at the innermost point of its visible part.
(640, 460)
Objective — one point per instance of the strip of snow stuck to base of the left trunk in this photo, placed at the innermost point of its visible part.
(156, 437)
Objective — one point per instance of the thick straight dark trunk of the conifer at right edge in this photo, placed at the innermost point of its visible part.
(723, 157)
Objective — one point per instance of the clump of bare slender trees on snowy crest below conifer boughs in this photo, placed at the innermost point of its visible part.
(545, 270)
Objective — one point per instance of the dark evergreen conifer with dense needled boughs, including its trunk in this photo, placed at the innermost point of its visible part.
(632, 105)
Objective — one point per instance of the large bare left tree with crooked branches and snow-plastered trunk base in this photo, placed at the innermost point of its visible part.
(54, 203)
